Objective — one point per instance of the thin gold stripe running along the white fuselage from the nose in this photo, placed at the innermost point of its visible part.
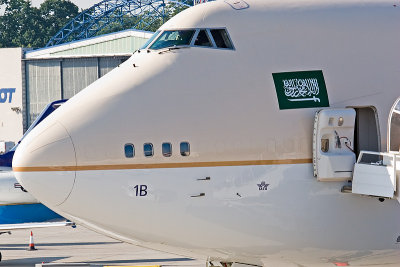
(161, 165)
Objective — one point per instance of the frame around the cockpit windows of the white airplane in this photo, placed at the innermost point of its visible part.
(196, 33)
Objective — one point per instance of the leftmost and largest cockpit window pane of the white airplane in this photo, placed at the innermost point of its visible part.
(173, 38)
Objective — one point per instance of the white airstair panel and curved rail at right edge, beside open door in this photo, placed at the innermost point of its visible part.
(380, 177)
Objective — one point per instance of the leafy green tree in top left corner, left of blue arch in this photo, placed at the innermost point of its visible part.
(25, 26)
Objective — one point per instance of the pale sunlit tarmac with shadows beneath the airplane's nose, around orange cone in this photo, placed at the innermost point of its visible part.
(64, 246)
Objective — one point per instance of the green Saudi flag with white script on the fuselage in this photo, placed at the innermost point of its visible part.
(301, 89)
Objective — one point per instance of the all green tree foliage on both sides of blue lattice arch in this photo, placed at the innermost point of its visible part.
(25, 26)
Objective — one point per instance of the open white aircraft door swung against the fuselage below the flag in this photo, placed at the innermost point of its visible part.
(333, 155)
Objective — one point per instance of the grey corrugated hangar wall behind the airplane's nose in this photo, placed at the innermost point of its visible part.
(48, 80)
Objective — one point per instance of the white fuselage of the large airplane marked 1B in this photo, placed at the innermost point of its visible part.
(224, 103)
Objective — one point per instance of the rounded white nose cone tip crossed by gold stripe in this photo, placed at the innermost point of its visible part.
(44, 163)
